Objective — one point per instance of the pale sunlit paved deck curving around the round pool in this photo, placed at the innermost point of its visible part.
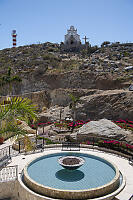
(123, 164)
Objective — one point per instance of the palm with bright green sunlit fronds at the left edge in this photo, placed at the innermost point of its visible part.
(17, 109)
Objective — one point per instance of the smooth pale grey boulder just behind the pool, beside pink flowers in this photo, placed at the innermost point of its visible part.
(102, 128)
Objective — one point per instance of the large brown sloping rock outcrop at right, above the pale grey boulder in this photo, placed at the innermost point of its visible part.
(111, 104)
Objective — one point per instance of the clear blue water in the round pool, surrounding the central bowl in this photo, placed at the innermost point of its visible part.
(94, 173)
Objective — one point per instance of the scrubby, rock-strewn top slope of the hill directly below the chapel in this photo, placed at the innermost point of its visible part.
(49, 58)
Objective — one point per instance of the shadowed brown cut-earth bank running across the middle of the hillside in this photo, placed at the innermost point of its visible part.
(68, 80)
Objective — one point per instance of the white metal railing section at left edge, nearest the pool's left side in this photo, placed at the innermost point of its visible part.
(9, 173)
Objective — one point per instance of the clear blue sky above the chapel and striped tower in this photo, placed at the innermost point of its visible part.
(48, 20)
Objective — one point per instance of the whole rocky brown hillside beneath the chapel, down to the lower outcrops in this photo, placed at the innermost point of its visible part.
(49, 75)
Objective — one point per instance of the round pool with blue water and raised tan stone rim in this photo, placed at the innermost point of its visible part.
(95, 178)
